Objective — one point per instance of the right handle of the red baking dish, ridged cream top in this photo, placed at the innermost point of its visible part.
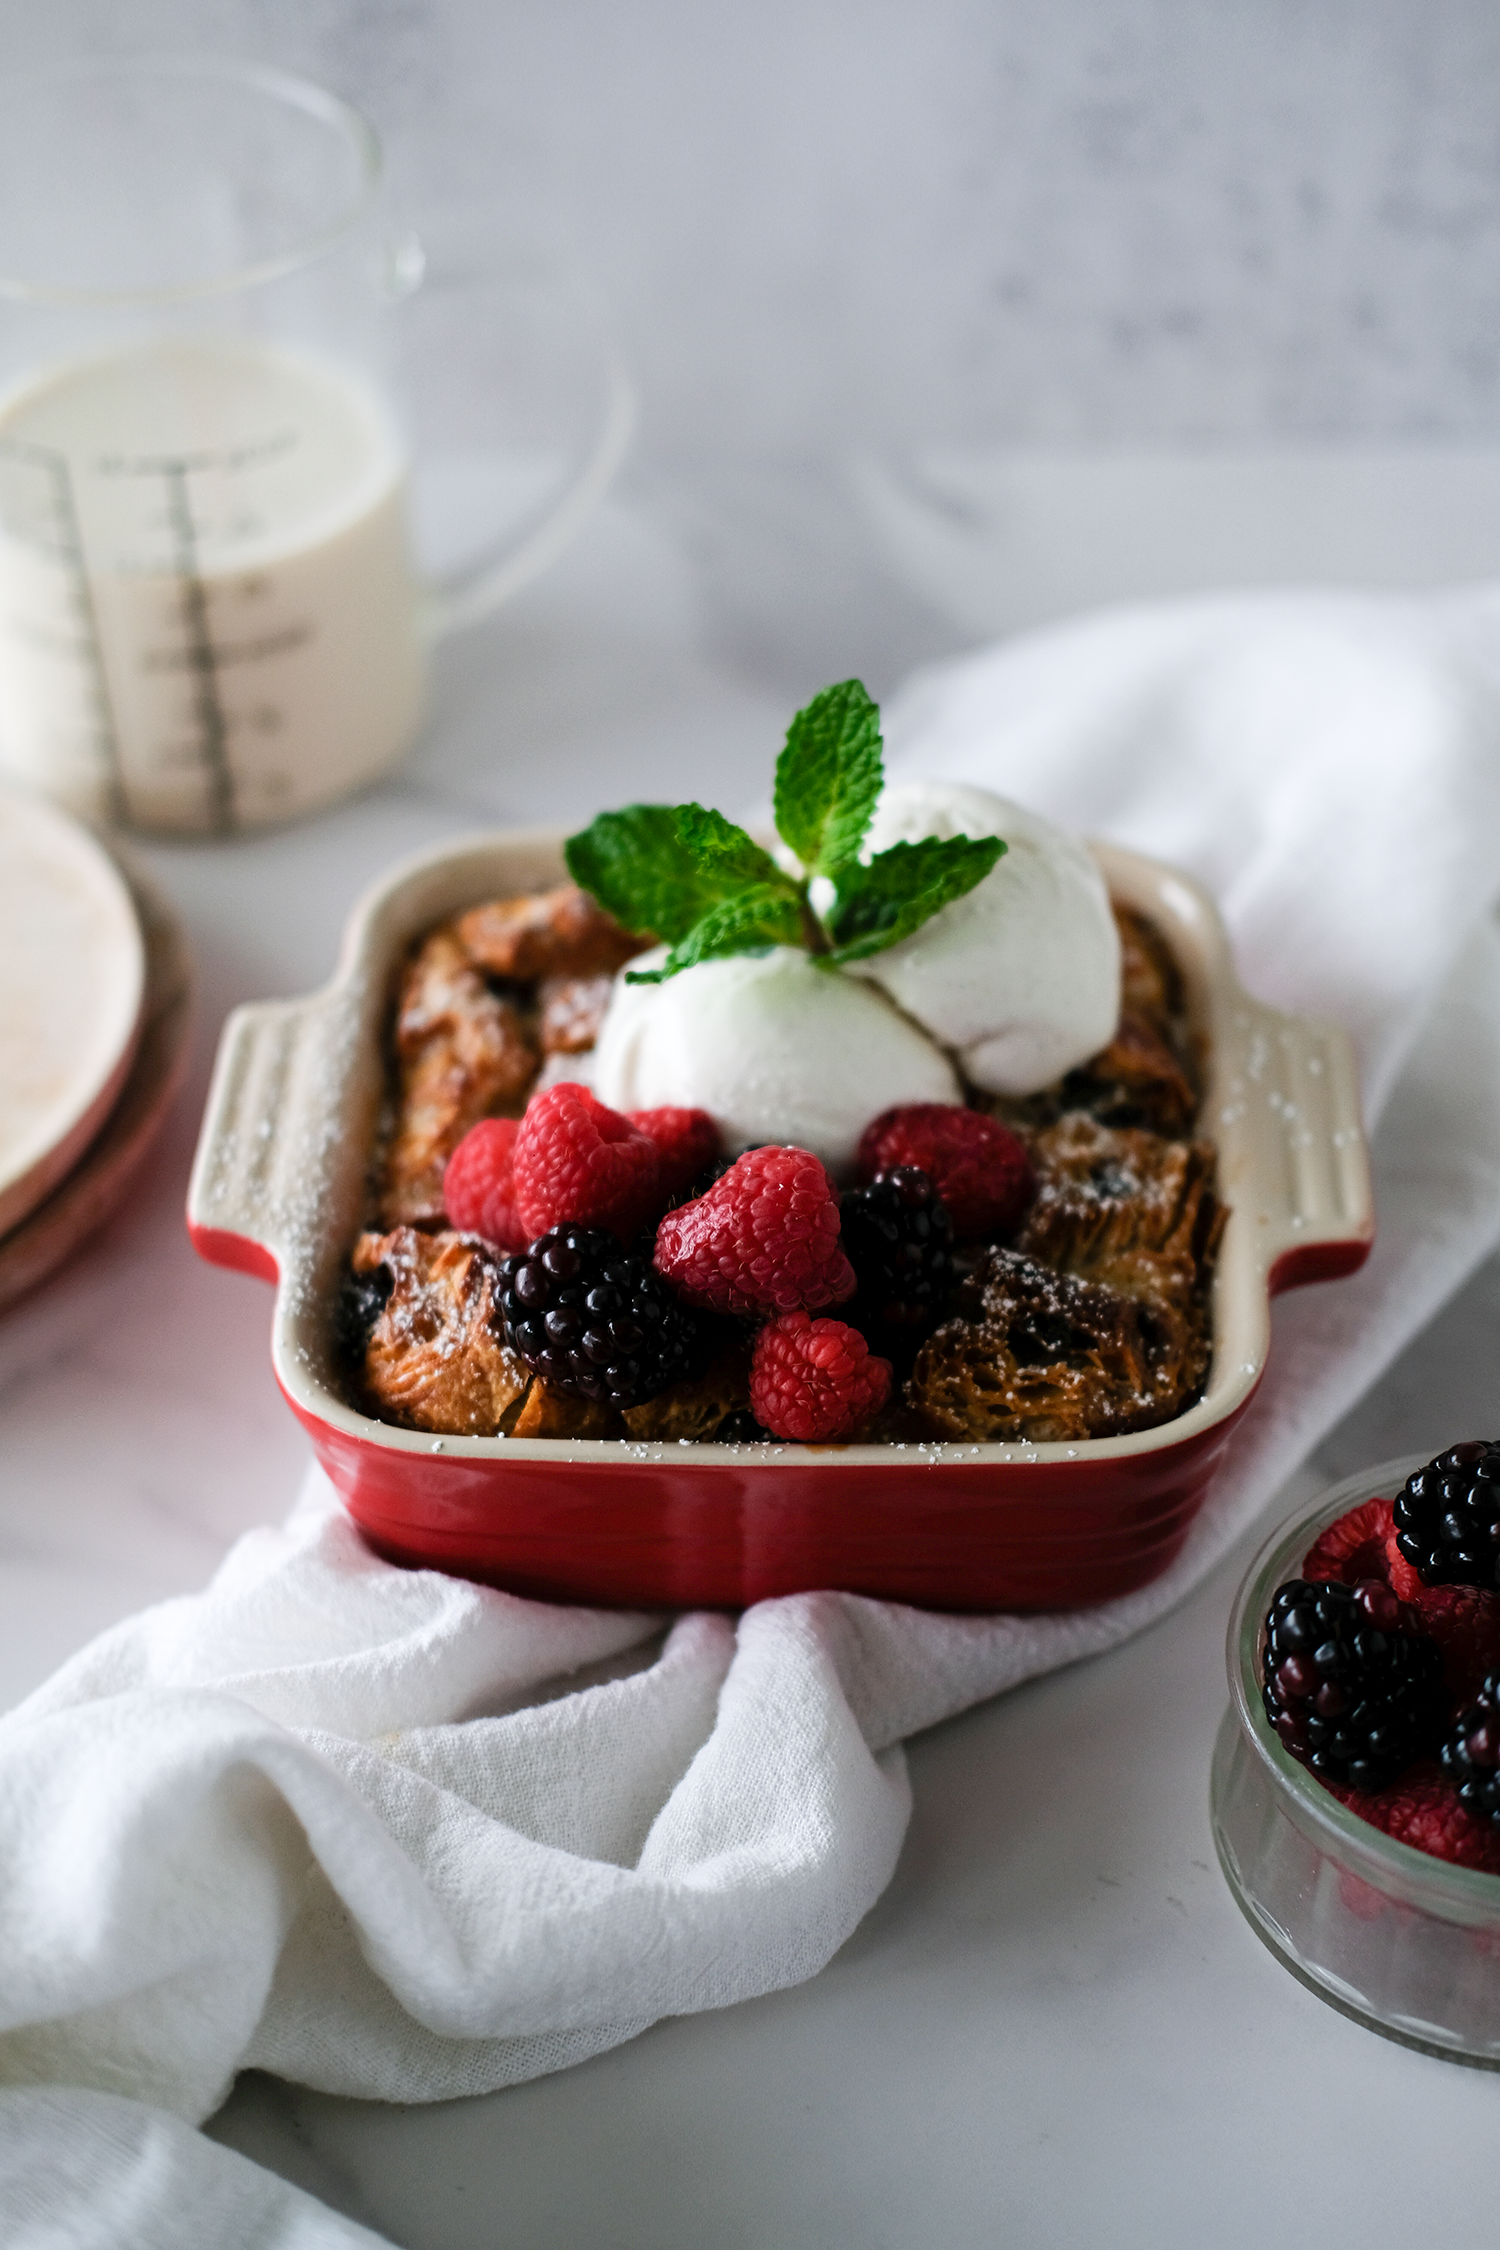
(1292, 1086)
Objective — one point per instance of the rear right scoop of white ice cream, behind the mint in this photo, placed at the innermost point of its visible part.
(1022, 978)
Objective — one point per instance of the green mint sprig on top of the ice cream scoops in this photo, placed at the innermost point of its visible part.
(703, 885)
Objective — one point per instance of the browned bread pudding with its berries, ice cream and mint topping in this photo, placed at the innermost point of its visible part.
(887, 1135)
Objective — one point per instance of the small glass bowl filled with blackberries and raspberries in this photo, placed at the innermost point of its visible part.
(1377, 1889)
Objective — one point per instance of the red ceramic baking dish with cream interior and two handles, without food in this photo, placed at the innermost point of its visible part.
(280, 1191)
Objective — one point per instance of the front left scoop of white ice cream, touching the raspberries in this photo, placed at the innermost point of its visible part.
(772, 1047)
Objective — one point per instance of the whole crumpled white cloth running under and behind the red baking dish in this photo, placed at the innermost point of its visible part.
(395, 1835)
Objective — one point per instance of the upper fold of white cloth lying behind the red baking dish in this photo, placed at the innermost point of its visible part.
(1326, 764)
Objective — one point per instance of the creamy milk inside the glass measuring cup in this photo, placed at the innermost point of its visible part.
(208, 609)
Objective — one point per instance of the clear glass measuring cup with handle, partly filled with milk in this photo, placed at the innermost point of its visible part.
(210, 615)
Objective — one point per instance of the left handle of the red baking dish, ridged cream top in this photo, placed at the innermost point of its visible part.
(255, 1180)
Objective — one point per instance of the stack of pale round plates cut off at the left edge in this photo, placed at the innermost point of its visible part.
(93, 1032)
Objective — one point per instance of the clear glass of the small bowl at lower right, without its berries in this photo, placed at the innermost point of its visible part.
(1393, 1938)
